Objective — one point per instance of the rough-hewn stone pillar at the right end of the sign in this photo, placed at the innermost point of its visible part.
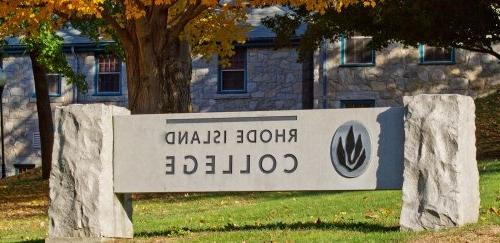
(441, 179)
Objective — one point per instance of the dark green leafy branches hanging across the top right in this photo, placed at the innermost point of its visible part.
(471, 25)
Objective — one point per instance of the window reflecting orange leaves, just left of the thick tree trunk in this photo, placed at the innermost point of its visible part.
(108, 75)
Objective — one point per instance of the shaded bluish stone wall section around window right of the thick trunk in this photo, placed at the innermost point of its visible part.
(274, 82)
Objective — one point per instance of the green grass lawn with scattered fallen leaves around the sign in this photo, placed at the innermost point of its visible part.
(256, 217)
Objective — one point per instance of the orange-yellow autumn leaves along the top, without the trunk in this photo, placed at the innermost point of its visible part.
(210, 27)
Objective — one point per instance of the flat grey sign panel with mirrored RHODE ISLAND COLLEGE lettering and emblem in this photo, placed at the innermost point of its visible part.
(340, 149)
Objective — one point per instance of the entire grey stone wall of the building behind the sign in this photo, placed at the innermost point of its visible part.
(274, 82)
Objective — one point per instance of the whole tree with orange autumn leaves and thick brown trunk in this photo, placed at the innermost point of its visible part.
(158, 37)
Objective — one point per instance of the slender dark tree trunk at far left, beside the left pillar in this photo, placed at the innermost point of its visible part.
(44, 113)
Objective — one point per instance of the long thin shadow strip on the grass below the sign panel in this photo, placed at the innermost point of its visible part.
(355, 226)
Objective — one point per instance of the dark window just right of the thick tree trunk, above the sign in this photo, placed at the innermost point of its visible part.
(232, 79)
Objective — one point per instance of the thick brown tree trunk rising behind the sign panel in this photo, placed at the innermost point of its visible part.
(158, 60)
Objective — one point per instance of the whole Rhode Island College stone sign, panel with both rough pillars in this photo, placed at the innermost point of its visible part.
(101, 154)
